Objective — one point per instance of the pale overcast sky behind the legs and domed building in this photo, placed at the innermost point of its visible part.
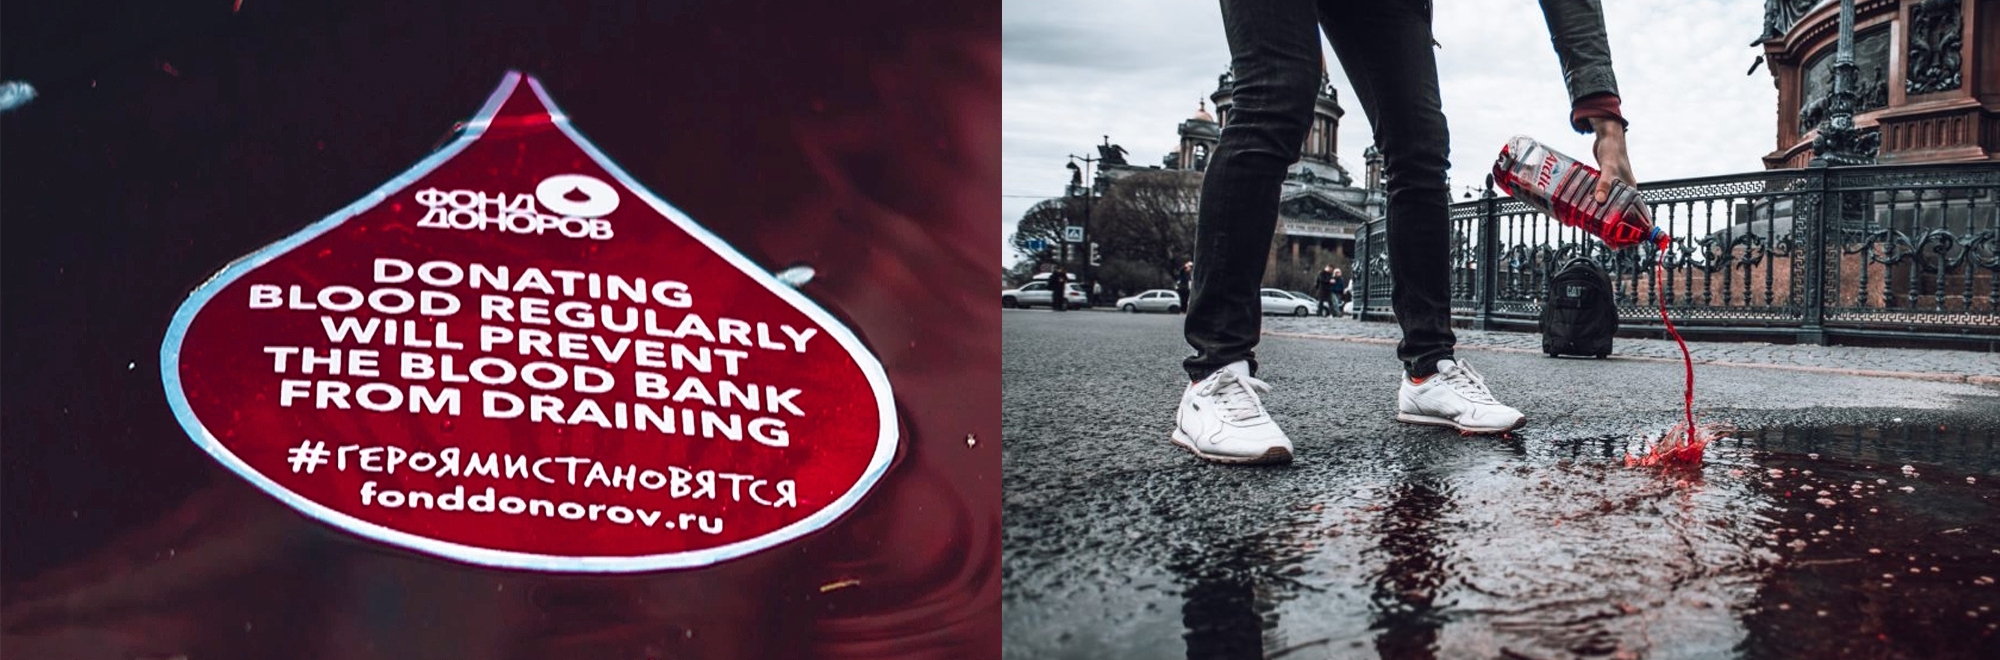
(1133, 69)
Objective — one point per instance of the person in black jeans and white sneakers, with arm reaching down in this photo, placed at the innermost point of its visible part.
(1387, 53)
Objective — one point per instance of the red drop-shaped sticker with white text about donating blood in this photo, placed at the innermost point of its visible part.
(517, 357)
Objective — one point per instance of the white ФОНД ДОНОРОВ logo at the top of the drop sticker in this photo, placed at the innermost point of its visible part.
(571, 205)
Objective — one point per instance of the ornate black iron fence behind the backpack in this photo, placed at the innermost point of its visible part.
(1819, 255)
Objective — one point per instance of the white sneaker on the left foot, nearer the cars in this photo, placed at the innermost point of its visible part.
(1223, 421)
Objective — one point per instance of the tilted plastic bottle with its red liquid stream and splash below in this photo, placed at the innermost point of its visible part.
(1565, 189)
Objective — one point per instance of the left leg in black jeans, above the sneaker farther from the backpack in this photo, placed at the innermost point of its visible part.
(1275, 57)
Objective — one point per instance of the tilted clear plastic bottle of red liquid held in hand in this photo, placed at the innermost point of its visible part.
(1565, 189)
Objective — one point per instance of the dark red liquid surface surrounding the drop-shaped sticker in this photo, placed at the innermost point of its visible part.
(175, 137)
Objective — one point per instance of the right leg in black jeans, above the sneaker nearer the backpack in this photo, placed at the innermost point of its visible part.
(1387, 53)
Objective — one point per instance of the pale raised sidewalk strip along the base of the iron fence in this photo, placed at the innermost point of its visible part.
(1863, 361)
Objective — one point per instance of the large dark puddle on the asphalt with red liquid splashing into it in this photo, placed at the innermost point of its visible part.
(1789, 543)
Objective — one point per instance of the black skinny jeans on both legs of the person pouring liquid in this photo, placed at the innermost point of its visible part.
(1275, 55)
